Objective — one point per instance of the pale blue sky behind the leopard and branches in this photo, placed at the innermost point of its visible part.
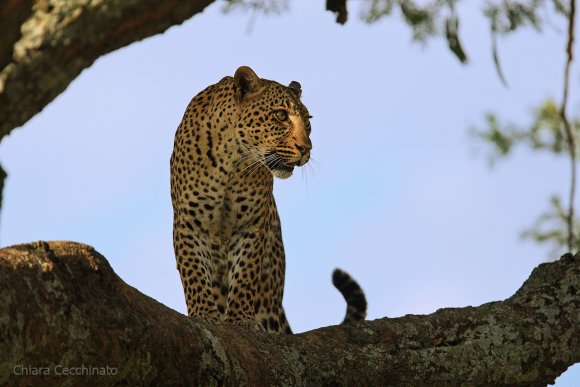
(401, 196)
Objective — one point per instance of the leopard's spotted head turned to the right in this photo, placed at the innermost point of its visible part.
(273, 126)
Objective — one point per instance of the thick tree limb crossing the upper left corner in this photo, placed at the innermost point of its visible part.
(45, 45)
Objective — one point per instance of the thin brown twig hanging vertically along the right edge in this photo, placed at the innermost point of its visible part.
(568, 128)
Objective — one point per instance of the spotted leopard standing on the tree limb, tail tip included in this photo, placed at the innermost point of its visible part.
(234, 138)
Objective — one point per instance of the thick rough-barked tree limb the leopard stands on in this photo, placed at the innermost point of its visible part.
(61, 305)
